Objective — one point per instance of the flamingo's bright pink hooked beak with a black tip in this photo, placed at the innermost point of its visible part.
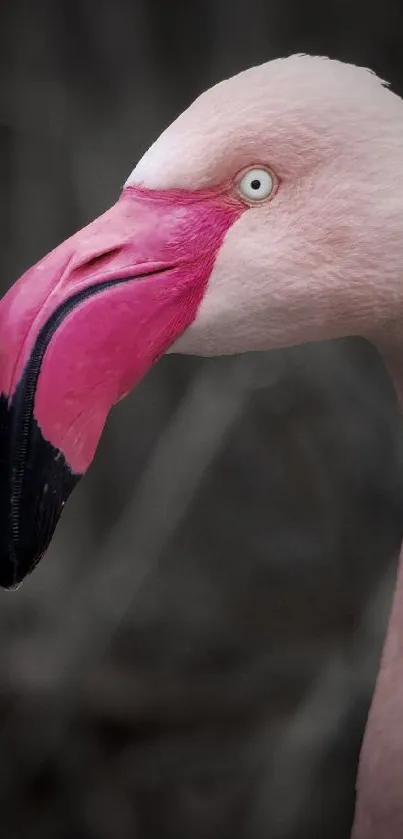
(77, 332)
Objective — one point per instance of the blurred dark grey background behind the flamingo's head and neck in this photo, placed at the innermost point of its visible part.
(195, 656)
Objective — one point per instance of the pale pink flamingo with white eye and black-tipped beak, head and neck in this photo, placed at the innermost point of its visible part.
(267, 215)
